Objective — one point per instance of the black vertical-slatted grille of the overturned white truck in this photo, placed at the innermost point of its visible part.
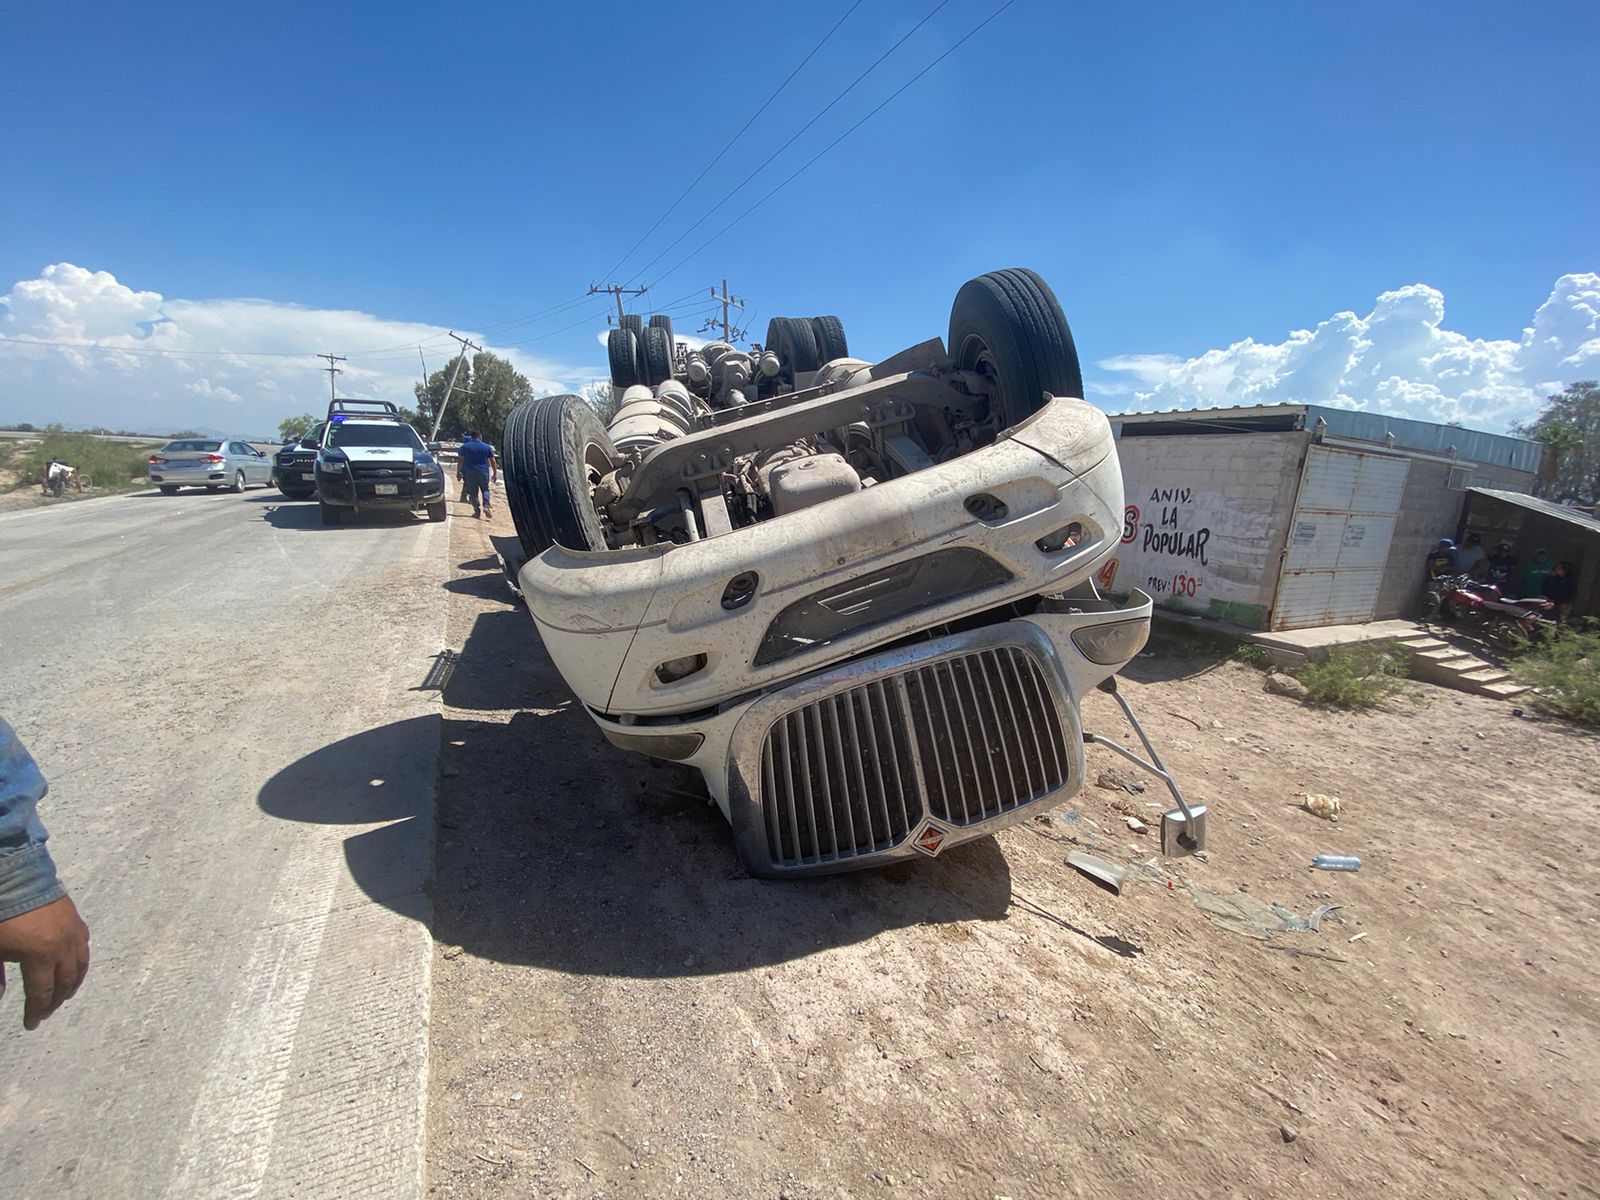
(964, 740)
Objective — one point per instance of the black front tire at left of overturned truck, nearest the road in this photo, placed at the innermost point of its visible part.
(556, 452)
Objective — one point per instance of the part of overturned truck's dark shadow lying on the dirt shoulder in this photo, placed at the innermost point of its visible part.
(558, 850)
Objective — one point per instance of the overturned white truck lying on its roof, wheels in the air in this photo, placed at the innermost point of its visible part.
(858, 598)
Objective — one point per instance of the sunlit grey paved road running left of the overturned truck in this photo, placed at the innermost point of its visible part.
(188, 671)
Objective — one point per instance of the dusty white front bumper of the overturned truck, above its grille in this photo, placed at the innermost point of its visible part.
(665, 630)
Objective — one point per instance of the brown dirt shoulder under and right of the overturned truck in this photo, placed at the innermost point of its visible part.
(620, 1012)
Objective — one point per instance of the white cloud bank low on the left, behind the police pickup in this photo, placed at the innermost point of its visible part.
(239, 366)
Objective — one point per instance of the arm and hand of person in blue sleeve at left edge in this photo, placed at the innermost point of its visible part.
(41, 929)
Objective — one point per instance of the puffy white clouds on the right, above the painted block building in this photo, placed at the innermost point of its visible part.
(1399, 359)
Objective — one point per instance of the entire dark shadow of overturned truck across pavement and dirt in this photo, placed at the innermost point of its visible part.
(558, 850)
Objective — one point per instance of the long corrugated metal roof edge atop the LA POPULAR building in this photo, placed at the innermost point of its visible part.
(1470, 446)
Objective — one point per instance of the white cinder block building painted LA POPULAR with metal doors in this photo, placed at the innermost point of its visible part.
(1297, 516)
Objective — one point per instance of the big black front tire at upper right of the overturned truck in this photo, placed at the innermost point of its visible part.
(1010, 327)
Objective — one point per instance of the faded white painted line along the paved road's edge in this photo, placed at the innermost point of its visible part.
(230, 1142)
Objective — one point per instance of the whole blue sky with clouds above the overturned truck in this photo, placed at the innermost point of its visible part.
(1185, 177)
